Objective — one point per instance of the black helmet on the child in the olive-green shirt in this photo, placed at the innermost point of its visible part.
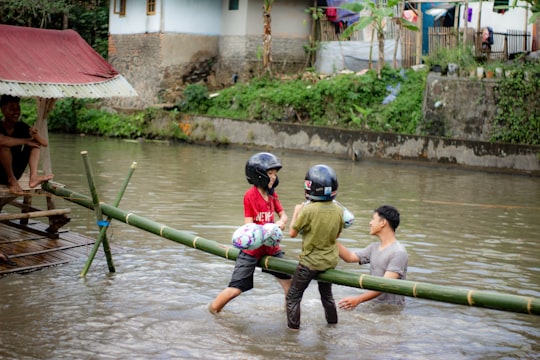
(321, 183)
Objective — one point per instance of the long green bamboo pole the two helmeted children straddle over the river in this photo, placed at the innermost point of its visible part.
(492, 300)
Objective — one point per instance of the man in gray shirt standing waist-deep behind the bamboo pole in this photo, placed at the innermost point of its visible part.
(387, 258)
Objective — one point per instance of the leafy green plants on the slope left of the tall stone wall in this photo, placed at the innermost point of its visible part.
(338, 101)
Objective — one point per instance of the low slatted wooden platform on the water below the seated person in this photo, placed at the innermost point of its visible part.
(29, 251)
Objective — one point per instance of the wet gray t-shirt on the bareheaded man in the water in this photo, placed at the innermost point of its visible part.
(393, 258)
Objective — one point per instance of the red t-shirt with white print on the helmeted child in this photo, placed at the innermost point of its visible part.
(262, 212)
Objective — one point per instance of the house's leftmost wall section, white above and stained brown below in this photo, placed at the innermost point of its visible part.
(160, 53)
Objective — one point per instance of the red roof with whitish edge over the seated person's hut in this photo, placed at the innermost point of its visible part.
(55, 64)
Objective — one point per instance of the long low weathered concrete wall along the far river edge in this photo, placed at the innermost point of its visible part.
(360, 145)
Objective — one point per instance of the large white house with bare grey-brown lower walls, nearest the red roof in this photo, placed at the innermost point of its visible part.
(160, 45)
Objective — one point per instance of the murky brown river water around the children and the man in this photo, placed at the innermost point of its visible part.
(461, 228)
